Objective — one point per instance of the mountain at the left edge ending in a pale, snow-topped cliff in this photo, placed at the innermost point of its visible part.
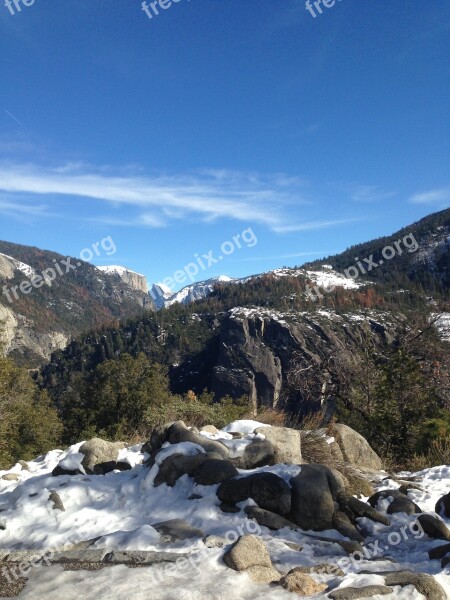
(46, 299)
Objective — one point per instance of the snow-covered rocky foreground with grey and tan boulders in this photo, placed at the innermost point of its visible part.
(220, 515)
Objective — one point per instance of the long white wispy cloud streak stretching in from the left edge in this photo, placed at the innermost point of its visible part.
(206, 196)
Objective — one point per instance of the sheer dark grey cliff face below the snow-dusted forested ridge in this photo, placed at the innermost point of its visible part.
(257, 348)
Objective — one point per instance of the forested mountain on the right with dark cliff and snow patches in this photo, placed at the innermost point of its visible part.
(245, 336)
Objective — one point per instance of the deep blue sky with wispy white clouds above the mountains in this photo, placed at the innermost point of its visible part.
(176, 133)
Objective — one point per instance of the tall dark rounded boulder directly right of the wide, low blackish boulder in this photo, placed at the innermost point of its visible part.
(314, 491)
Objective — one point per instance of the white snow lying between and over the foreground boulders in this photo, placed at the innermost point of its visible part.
(121, 507)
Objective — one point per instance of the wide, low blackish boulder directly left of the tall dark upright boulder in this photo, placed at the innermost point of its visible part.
(267, 489)
